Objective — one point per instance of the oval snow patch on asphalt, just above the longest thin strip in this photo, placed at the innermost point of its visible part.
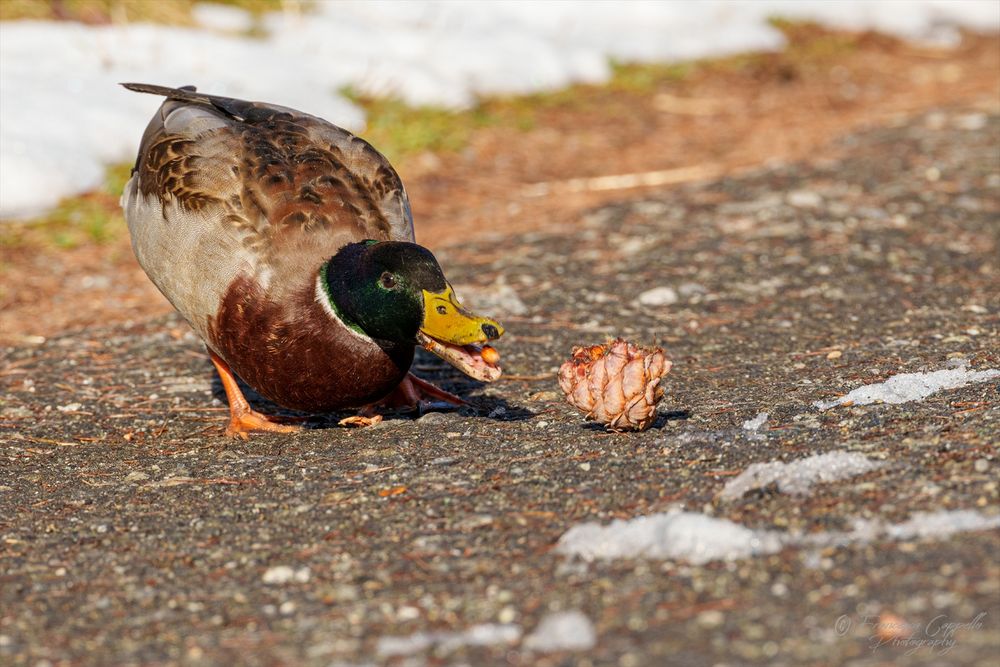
(797, 477)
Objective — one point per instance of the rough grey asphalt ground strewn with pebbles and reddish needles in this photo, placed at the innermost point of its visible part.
(133, 532)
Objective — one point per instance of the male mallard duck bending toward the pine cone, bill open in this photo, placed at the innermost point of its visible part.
(287, 243)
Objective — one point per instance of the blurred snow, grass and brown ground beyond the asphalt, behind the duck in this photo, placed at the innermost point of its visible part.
(501, 117)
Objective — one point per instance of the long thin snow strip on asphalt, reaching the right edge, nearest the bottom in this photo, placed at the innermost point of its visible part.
(696, 538)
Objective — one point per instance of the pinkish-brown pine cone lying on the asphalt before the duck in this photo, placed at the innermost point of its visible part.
(617, 383)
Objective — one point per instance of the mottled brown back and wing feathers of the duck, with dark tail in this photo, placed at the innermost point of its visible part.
(274, 171)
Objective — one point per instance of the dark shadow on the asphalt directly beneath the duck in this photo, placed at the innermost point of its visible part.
(442, 375)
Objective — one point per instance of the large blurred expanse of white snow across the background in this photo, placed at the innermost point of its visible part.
(62, 116)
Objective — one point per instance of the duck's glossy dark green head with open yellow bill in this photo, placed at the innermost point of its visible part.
(395, 292)
